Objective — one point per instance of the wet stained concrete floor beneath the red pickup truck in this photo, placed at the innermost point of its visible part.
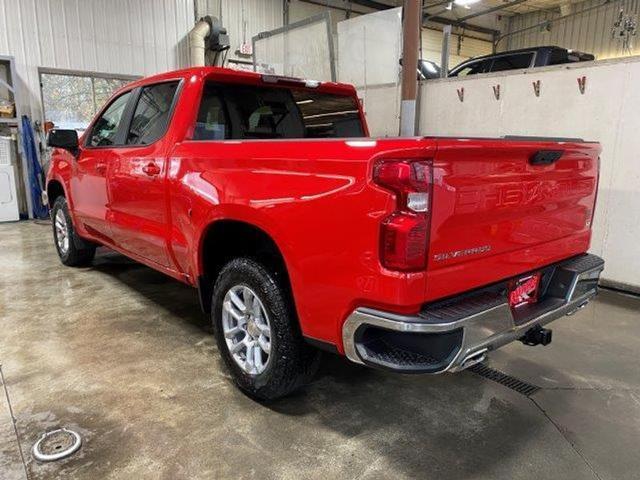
(123, 355)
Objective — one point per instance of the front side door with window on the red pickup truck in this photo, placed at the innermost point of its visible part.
(89, 190)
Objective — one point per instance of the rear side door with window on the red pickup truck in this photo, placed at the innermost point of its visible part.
(137, 181)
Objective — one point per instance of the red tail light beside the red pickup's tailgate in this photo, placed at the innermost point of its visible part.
(404, 235)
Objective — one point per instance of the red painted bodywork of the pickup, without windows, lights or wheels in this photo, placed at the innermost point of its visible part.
(493, 215)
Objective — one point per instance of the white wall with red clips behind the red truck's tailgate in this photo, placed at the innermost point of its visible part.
(607, 113)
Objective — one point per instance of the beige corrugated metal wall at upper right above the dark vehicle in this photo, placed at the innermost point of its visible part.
(589, 32)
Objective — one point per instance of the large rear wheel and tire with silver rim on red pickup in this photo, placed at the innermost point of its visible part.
(290, 362)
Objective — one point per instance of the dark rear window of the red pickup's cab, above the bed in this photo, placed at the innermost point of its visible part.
(250, 112)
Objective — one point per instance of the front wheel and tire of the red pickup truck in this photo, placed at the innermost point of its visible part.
(72, 250)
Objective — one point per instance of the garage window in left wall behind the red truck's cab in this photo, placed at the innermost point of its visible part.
(71, 100)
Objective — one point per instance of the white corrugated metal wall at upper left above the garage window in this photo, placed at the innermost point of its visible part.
(132, 37)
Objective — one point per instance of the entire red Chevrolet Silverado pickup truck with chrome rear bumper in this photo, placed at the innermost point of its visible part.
(417, 255)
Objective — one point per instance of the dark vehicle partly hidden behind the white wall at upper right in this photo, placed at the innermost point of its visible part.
(520, 59)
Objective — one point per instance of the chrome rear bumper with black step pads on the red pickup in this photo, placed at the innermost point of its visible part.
(457, 333)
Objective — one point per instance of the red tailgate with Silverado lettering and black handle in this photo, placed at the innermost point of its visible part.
(504, 207)
